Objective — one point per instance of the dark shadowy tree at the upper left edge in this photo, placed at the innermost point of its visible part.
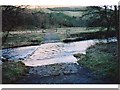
(9, 19)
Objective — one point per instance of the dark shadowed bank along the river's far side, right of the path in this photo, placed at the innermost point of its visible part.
(89, 35)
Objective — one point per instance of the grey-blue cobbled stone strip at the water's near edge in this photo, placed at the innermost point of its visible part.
(54, 69)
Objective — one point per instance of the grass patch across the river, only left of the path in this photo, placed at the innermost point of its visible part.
(23, 39)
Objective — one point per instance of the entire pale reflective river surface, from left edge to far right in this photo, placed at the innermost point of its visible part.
(50, 53)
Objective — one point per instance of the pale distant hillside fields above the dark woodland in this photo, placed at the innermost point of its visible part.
(70, 11)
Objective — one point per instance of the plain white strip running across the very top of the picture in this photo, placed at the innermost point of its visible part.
(52, 3)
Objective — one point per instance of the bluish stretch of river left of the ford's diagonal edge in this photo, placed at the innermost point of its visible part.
(19, 53)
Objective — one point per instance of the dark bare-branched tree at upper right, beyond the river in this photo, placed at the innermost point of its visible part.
(102, 16)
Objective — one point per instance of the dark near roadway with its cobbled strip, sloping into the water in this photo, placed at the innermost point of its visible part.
(76, 75)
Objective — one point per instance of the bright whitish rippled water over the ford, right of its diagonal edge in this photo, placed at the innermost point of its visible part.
(51, 53)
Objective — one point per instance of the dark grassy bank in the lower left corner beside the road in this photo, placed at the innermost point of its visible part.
(12, 71)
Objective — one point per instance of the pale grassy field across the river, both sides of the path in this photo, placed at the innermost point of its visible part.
(35, 37)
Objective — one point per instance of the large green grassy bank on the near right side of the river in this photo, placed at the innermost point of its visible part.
(101, 59)
